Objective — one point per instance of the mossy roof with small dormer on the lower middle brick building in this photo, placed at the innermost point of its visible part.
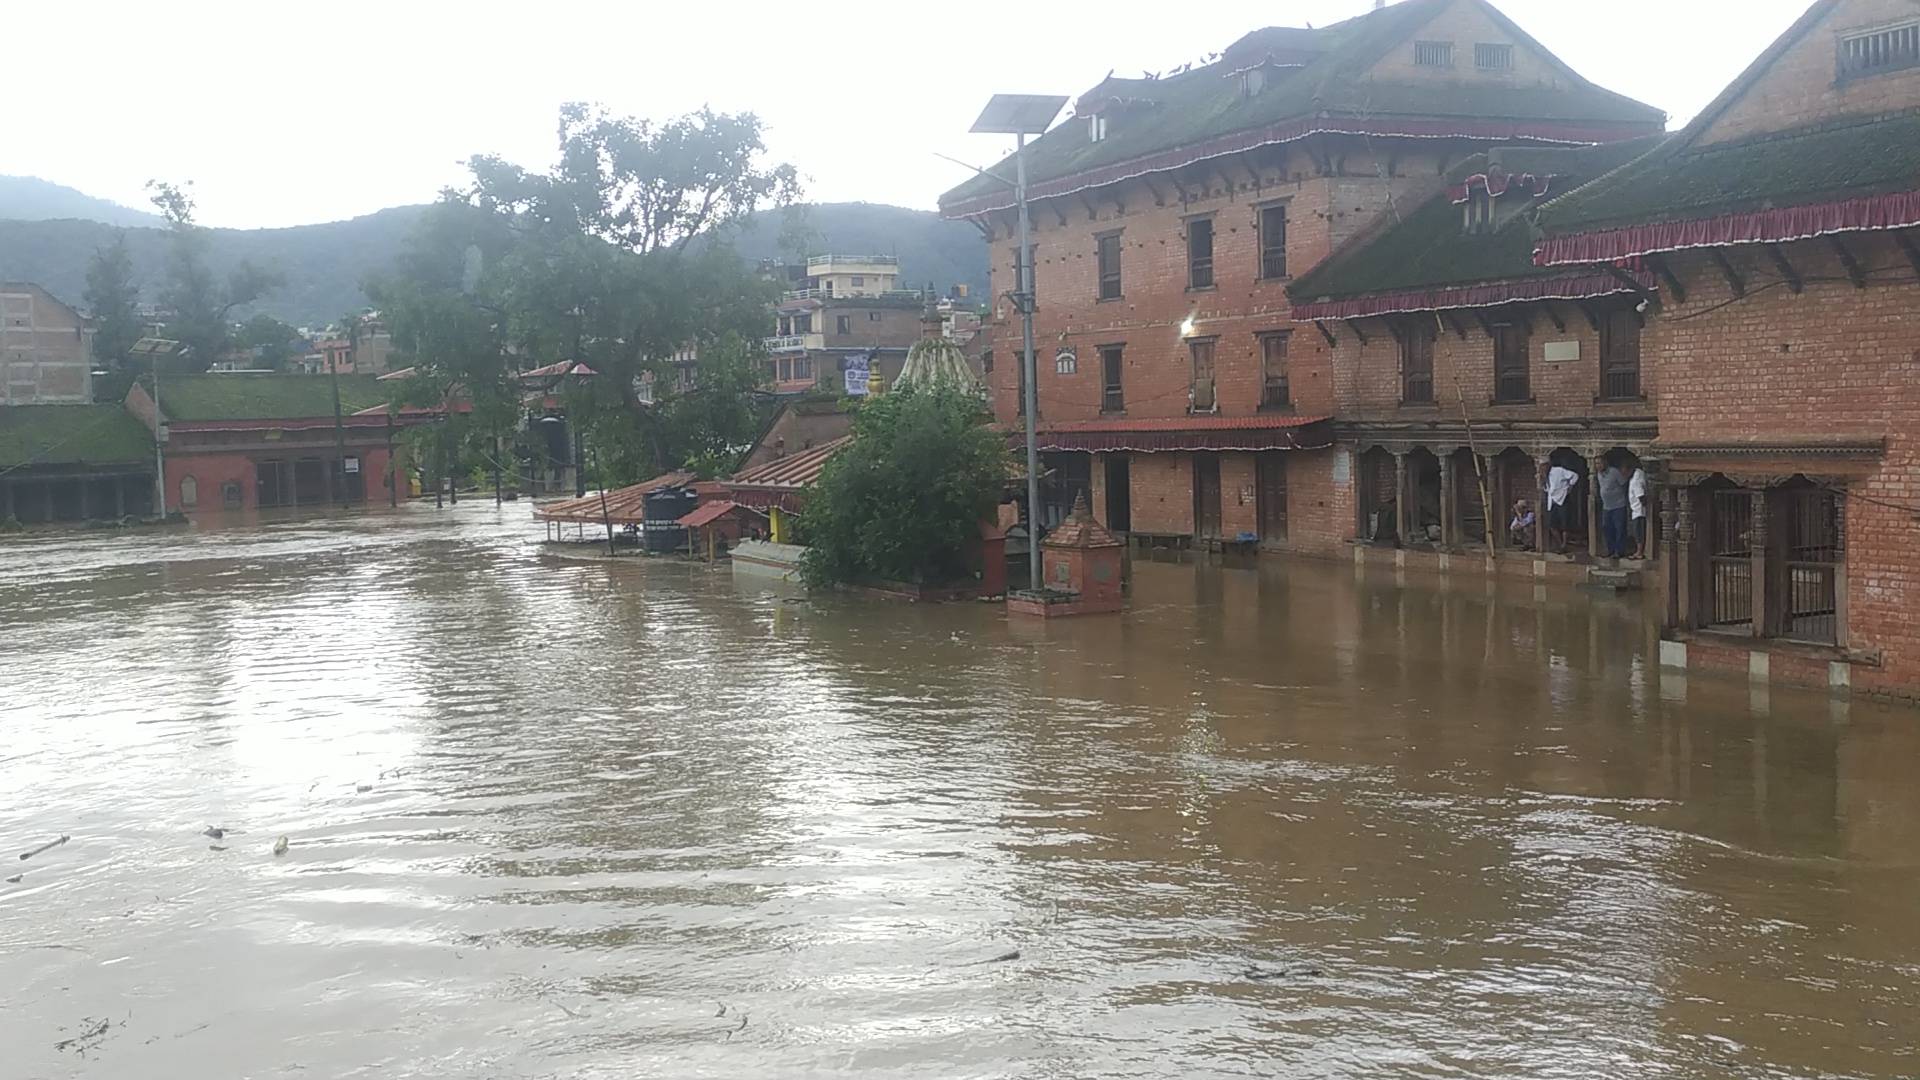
(1429, 249)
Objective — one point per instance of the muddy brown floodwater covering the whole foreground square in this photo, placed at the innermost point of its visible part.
(571, 820)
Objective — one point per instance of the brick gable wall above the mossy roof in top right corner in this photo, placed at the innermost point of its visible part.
(1802, 86)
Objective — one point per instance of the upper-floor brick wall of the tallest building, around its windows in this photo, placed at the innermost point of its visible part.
(1147, 320)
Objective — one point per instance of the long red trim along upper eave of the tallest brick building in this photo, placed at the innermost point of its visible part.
(1287, 132)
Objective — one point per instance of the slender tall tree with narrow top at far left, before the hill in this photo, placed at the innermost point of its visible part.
(197, 301)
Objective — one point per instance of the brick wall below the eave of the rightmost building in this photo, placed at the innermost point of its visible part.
(1835, 362)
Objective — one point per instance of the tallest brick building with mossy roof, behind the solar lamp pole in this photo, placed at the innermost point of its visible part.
(1170, 216)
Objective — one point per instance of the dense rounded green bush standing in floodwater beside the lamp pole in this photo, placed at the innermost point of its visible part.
(905, 499)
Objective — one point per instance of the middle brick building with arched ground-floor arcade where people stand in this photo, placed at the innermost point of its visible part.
(1462, 370)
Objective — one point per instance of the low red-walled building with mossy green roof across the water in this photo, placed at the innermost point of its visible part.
(268, 441)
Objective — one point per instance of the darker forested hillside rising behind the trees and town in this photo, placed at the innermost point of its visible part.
(325, 264)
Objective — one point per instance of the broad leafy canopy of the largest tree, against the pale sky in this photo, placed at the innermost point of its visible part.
(617, 258)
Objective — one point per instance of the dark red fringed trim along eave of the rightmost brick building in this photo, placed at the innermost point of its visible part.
(1764, 228)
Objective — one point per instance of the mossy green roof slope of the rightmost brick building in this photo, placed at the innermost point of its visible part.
(1829, 162)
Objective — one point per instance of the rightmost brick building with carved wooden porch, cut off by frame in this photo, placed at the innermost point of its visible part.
(1783, 237)
